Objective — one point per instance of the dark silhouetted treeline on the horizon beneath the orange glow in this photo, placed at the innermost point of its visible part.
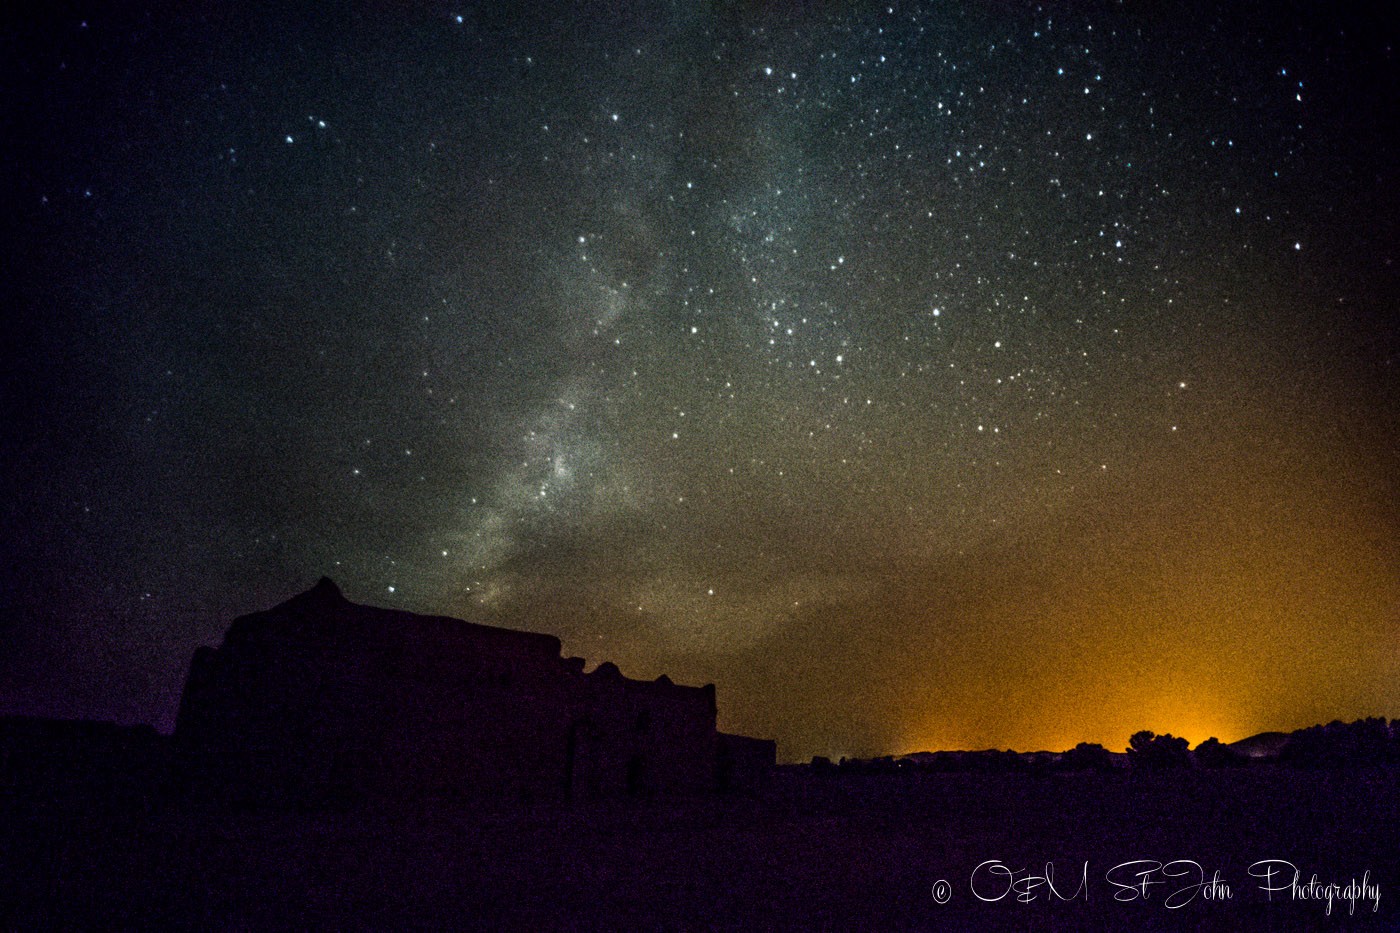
(1364, 743)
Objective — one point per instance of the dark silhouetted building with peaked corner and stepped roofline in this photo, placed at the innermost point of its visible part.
(323, 700)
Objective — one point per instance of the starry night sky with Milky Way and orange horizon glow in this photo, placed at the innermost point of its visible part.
(926, 376)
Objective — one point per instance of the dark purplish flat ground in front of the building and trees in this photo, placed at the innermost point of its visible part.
(811, 852)
